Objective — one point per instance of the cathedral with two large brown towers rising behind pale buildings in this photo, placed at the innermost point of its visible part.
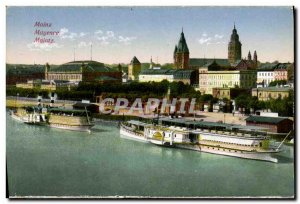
(182, 60)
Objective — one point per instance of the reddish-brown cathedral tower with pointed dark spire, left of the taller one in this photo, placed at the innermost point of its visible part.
(181, 54)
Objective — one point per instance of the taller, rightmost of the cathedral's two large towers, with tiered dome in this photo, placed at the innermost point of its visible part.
(234, 47)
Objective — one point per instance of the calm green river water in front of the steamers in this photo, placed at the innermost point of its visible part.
(43, 161)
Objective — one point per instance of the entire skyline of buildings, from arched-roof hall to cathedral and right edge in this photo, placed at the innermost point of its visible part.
(208, 75)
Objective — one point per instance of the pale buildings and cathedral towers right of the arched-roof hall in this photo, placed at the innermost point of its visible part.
(209, 75)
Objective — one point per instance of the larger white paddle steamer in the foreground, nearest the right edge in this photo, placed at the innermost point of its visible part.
(229, 143)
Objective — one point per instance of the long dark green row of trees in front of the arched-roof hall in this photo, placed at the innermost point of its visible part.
(89, 91)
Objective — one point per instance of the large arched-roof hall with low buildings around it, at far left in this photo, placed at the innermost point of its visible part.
(68, 75)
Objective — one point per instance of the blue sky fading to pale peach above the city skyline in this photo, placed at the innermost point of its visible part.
(119, 33)
